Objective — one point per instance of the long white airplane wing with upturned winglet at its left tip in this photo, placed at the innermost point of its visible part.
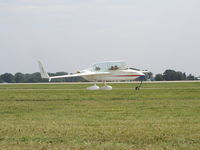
(45, 75)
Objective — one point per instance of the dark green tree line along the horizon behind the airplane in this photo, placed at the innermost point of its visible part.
(168, 75)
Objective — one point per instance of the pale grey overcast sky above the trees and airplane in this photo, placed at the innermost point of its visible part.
(71, 35)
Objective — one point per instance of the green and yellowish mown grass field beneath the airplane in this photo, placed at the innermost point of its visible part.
(161, 116)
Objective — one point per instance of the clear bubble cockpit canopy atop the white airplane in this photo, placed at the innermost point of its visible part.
(109, 66)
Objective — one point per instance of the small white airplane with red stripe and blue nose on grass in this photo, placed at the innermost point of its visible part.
(102, 71)
